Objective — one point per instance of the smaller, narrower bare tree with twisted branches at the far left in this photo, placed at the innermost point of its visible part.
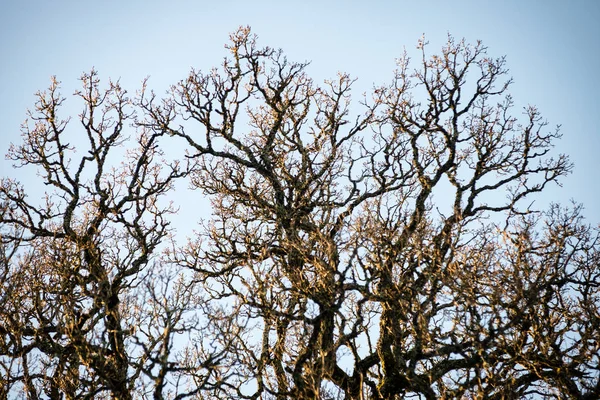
(88, 309)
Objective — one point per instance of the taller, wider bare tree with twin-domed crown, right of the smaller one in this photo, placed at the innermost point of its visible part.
(391, 253)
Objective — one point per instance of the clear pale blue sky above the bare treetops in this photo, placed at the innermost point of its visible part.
(552, 49)
